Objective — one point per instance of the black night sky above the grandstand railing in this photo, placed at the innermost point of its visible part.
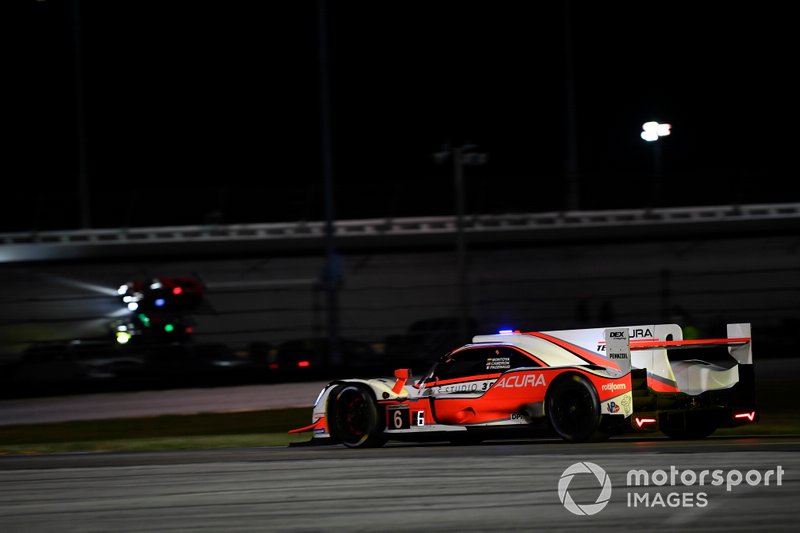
(208, 112)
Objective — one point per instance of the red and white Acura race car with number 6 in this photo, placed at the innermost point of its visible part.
(578, 384)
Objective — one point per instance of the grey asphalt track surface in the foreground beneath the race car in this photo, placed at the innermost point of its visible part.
(511, 486)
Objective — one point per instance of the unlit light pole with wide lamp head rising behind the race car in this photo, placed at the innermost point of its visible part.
(462, 156)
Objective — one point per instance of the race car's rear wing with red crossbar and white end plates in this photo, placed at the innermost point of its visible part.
(619, 346)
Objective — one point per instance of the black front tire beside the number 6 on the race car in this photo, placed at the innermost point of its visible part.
(355, 420)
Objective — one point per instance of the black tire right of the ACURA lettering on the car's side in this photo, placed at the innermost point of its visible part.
(573, 409)
